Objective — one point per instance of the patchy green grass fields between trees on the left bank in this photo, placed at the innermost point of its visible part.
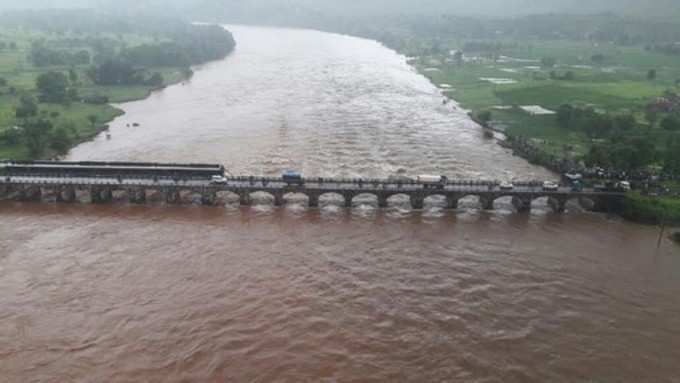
(20, 74)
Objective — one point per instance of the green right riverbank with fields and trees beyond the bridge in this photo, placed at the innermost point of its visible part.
(559, 110)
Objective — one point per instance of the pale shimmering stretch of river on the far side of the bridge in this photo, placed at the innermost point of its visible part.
(324, 104)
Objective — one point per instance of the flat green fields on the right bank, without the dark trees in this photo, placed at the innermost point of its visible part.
(618, 84)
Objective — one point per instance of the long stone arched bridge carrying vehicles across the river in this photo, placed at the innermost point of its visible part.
(153, 189)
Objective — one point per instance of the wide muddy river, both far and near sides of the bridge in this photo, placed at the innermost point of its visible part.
(189, 294)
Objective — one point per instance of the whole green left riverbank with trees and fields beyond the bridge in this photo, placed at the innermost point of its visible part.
(61, 70)
